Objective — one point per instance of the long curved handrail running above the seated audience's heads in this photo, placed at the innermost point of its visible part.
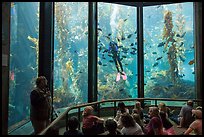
(65, 113)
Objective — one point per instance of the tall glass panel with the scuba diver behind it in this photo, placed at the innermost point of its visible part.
(117, 26)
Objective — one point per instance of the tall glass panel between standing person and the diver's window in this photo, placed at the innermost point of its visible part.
(70, 53)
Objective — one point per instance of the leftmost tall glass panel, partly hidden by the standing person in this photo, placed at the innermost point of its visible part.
(23, 58)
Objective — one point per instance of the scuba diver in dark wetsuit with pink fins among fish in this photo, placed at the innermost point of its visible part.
(113, 49)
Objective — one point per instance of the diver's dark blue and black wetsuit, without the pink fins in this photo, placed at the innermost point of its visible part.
(113, 48)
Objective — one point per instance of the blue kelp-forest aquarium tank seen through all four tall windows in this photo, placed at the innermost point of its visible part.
(169, 65)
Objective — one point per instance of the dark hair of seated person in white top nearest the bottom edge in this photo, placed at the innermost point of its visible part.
(127, 120)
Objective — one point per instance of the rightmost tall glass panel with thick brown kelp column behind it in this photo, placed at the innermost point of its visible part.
(169, 51)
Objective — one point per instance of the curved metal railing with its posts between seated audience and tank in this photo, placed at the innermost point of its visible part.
(66, 112)
